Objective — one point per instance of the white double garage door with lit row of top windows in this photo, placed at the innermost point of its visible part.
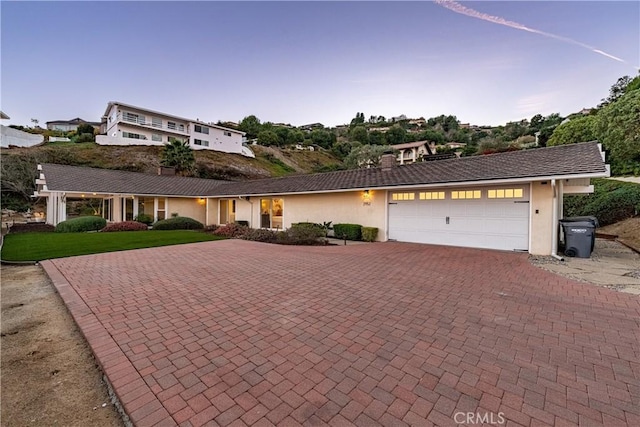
(493, 218)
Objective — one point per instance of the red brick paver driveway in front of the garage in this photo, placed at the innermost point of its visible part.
(241, 333)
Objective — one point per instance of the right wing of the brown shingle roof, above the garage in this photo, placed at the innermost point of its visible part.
(575, 159)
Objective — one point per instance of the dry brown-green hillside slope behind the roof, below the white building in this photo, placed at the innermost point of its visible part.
(19, 164)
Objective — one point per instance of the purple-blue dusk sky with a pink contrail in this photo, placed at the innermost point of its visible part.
(302, 62)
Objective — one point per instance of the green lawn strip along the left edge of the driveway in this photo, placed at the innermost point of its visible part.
(39, 246)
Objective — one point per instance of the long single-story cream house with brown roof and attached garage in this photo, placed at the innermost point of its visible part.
(507, 201)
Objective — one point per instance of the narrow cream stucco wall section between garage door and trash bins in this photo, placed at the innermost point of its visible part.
(542, 234)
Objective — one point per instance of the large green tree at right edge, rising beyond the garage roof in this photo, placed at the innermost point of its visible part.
(618, 128)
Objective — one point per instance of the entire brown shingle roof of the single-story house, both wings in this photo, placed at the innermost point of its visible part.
(566, 160)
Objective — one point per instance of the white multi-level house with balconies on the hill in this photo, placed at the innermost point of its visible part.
(130, 125)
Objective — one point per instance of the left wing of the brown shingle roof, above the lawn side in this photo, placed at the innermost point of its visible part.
(87, 180)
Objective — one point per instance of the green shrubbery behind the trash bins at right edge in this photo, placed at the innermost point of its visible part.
(612, 201)
